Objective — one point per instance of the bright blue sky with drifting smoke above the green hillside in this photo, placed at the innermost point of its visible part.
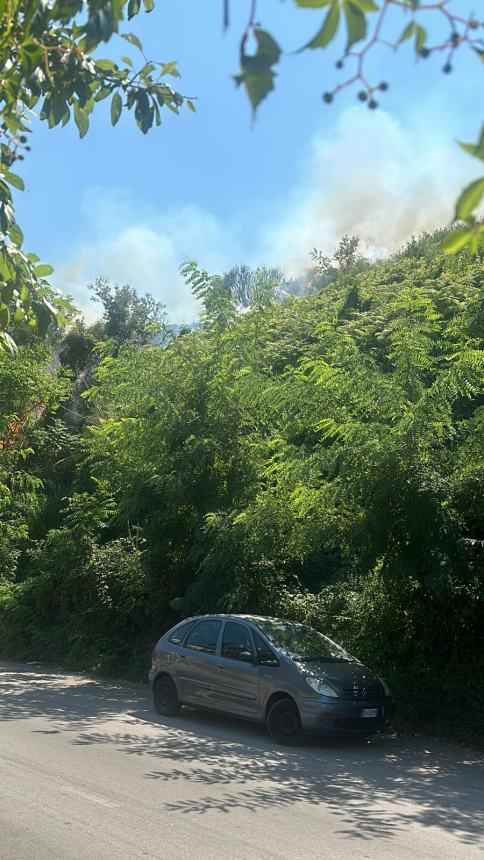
(220, 188)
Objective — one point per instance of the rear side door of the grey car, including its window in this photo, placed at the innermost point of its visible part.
(196, 664)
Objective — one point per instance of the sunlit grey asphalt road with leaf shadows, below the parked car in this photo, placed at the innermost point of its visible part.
(88, 770)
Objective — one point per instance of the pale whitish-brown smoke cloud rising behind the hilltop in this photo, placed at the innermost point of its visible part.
(368, 176)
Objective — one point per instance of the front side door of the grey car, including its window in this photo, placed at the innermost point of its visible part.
(237, 675)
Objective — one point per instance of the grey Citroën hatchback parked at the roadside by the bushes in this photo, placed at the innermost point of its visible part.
(272, 671)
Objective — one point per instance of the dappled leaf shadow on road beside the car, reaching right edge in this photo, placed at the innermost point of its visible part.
(374, 788)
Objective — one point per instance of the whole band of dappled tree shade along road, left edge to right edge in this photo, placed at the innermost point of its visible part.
(375, 788)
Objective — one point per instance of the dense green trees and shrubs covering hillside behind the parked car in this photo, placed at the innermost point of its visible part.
(320, 458)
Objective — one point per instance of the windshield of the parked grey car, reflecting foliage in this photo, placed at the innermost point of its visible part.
(303, 643)
